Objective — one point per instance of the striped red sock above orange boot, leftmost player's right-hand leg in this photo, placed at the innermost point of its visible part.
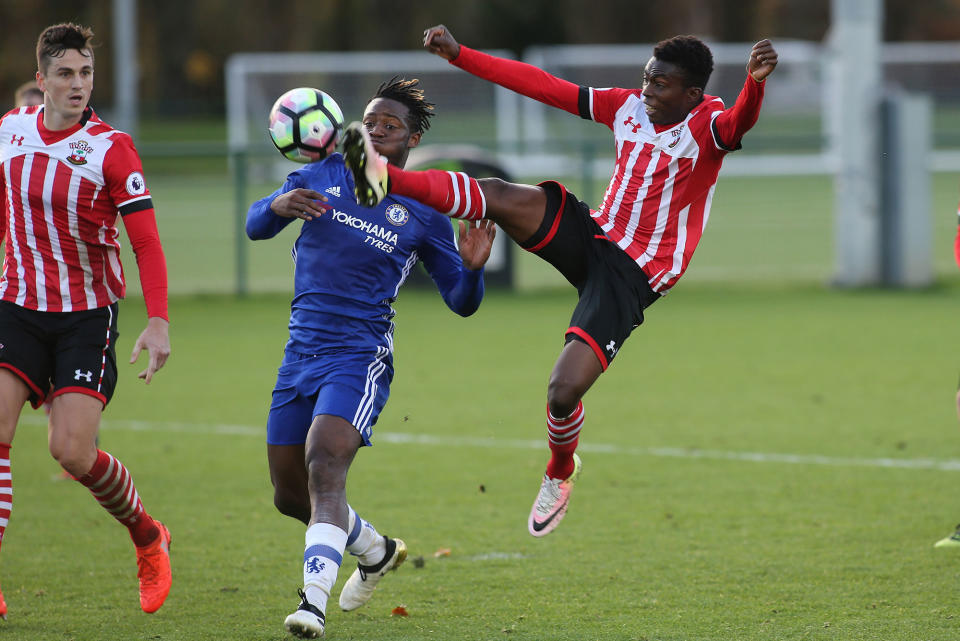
(111, 484)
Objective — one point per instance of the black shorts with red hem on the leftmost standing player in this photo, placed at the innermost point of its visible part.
(57, 352)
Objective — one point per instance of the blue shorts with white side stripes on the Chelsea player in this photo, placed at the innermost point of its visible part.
(351, 385)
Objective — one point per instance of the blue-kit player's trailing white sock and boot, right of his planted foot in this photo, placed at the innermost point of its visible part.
(376, 556)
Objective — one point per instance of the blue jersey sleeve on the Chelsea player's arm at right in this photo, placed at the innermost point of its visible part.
(461, 288)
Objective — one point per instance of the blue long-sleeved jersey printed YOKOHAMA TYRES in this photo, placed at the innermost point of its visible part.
(352, 260)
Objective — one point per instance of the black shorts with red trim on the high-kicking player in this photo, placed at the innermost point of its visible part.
(613, 289)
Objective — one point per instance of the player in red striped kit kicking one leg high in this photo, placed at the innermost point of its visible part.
(671, 139)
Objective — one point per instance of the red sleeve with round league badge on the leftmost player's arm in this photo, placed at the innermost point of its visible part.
(124, 177)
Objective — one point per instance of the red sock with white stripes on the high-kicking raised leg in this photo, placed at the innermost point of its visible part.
(452, 193)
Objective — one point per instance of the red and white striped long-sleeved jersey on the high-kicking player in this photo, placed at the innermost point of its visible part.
(659, 196)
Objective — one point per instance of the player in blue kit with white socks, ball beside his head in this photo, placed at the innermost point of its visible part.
(338, 363)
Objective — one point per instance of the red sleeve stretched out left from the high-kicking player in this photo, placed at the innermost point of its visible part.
(526, 80)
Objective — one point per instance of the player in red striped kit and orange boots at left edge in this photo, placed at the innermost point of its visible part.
(66, 175)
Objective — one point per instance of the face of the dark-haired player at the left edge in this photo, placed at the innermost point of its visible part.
(66, 83)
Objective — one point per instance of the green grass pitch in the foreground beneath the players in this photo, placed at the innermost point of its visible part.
(675, 532)
